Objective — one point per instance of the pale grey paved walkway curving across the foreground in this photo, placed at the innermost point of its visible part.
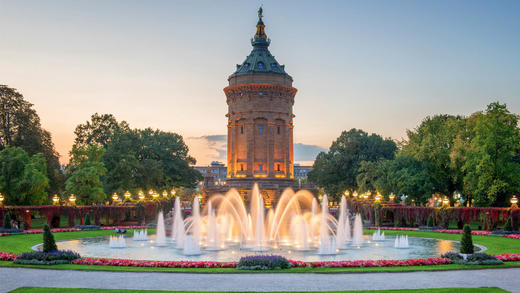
(11, 278)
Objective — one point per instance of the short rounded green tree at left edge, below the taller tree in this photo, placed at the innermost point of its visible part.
(23, 179)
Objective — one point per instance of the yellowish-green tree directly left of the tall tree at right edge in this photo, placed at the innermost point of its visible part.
(432, 143)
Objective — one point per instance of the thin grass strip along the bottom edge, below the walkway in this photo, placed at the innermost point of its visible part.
(442, 290)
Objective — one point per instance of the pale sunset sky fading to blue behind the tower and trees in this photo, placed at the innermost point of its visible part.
(381, 66)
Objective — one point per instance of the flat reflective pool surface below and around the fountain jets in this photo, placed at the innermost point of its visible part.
(419, 248)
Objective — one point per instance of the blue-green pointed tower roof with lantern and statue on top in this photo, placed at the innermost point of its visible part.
(260, 60)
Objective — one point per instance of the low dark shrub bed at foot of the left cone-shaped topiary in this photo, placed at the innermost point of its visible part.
(47, 258)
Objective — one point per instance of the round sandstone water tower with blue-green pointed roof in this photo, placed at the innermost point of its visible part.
(260, 100)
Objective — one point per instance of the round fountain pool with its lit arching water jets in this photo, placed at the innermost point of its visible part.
(225, 230)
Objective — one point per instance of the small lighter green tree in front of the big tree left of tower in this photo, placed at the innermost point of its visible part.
(85, 169)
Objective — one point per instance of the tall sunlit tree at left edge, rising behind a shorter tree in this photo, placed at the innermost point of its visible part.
(20, 126)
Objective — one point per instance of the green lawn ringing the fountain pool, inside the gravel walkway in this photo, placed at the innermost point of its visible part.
(495, 245)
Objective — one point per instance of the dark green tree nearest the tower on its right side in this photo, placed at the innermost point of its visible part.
(337, 169)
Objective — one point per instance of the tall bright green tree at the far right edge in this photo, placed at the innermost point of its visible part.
(491, 172)
